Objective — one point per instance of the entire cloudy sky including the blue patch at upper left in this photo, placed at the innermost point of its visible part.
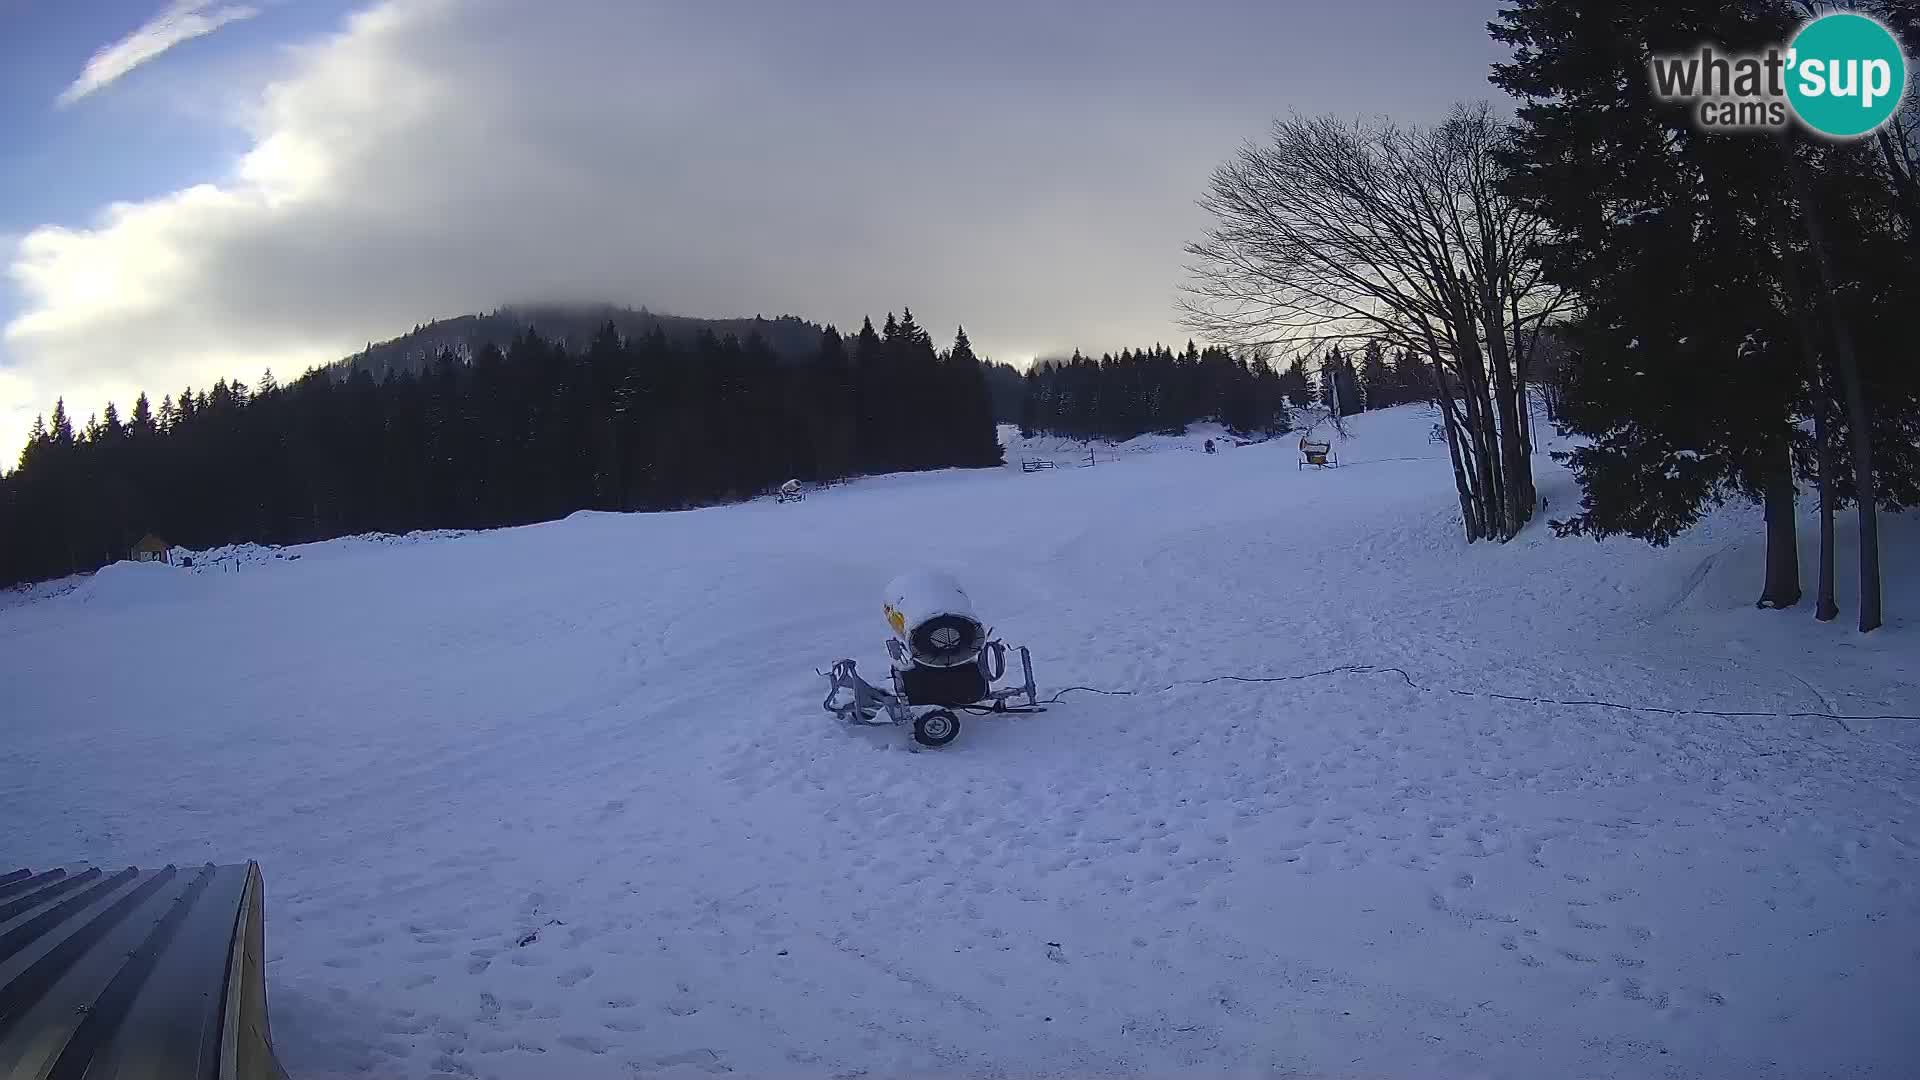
(193, 189)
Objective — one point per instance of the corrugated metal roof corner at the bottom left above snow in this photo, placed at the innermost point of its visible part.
(133, 975)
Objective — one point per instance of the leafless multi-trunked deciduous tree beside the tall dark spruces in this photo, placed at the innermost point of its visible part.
(1337, 233)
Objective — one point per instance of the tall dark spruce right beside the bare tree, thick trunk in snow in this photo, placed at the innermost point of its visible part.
(1685, 376)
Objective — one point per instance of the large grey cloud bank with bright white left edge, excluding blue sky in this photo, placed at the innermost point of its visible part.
(441, 157)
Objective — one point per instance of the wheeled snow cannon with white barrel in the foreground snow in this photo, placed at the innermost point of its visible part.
(944, 662)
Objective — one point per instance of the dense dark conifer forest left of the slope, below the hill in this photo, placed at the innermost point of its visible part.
(506, 437)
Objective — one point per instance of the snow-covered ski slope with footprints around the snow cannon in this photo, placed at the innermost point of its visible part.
(562, 800)
